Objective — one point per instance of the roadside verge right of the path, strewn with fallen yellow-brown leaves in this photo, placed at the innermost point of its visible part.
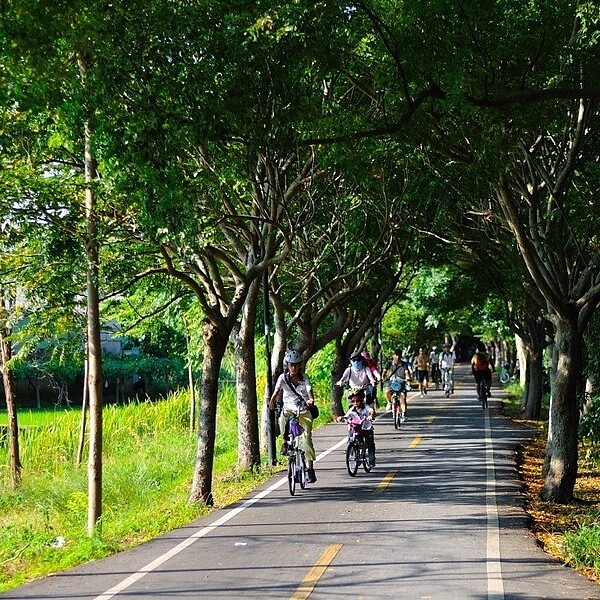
(570, 532)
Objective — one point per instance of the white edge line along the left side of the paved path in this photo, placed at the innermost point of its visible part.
(157, 562)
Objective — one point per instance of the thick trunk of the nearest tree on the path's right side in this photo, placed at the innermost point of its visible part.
(560, 465)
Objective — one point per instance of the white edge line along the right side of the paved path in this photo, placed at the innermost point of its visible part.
(494, 565)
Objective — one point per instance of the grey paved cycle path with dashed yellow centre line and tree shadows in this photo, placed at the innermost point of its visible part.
(439, 517)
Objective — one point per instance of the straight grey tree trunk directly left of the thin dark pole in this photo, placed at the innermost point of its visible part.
(247, 400)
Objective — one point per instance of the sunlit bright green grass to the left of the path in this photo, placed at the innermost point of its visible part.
(148, 459)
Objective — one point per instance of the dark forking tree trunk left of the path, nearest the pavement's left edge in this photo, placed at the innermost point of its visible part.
(215, 343)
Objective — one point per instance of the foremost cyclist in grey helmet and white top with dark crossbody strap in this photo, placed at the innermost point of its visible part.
(295, 389)
